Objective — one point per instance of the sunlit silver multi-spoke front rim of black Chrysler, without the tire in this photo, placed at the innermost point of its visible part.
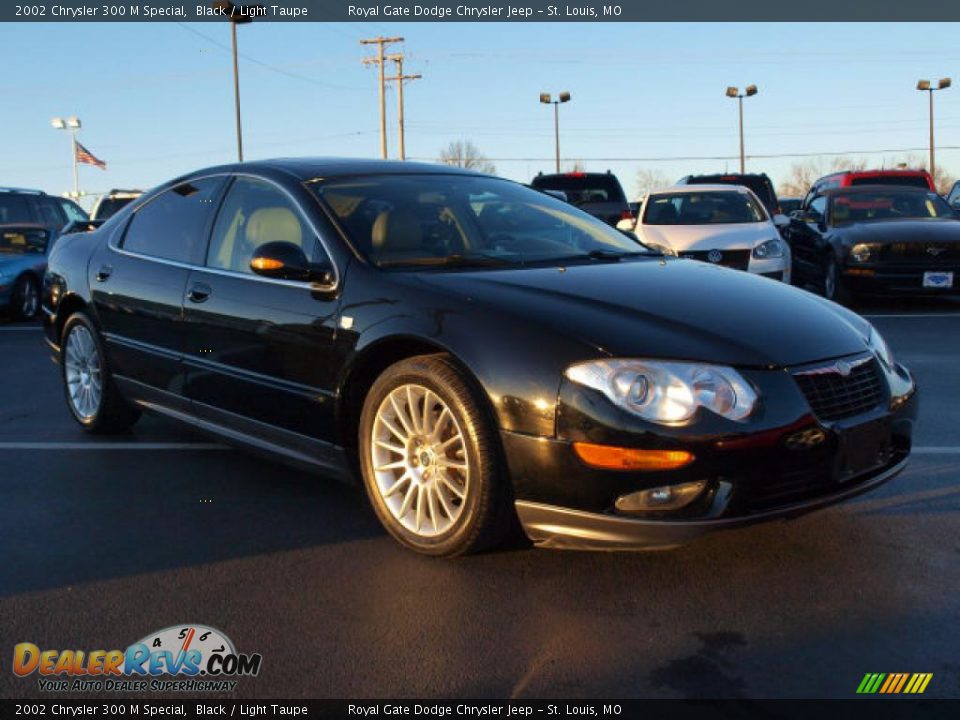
(419, 459)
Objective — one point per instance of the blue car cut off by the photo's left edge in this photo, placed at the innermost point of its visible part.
(23, 259)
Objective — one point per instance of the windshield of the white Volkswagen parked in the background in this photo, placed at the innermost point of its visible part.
(716, 207)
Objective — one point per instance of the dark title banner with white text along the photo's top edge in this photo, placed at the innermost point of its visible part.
(812, 11)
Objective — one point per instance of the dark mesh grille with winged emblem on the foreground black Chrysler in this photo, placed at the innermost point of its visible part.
(833, 396)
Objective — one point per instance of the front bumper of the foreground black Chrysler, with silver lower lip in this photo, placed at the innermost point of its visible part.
(758, 474)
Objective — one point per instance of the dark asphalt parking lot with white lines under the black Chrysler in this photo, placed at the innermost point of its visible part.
(106, 540)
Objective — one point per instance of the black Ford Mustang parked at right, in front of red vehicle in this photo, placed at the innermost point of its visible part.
(876, 239)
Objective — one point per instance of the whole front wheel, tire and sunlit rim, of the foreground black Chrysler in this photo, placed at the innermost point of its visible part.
(429, 457)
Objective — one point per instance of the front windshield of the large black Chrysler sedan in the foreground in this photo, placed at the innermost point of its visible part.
(445, 220)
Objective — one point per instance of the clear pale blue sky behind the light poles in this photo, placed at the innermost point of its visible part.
(156, 99)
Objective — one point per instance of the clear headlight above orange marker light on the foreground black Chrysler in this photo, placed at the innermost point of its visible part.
(667, 393)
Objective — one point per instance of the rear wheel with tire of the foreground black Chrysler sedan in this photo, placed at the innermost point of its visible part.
(91, 395)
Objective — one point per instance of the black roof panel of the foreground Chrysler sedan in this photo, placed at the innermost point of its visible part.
(316, 168)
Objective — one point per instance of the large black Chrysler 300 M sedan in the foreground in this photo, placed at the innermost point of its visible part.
(476, 351)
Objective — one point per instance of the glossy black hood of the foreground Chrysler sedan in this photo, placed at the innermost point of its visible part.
(666, 308)
